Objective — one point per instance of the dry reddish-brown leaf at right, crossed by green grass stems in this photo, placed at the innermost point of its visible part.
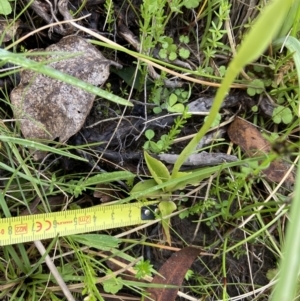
(251, 141)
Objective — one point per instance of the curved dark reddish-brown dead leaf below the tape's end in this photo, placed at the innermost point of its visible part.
(172, 273)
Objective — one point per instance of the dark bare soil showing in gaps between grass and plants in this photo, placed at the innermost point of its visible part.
(246, 270)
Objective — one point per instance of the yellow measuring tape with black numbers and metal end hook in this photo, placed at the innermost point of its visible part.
(49, 225)
